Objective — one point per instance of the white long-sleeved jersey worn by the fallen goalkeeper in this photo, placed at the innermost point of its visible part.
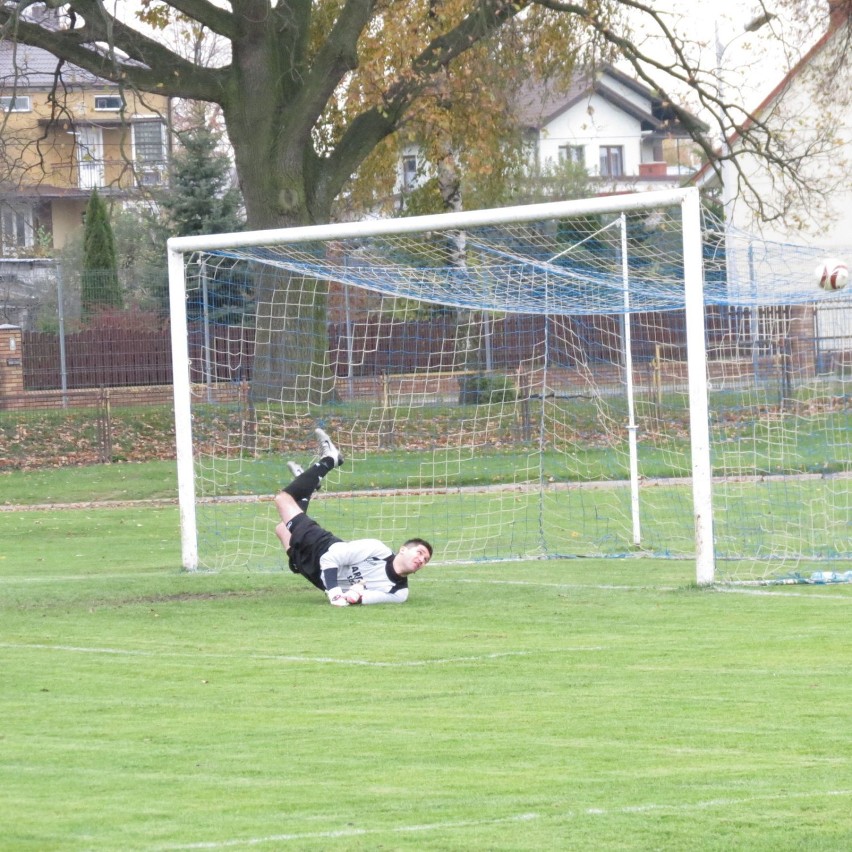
(370, 562)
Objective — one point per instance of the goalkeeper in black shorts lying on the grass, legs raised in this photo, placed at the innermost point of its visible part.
(362, 571)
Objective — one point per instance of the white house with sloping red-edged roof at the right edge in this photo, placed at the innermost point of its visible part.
(810, 110)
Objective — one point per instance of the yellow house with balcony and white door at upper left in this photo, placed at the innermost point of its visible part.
(64, 133)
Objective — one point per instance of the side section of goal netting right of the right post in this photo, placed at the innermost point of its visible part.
(780, 385)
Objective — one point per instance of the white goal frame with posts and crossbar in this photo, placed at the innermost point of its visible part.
(262, 247)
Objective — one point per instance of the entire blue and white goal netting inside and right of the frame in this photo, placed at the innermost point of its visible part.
(481, 386)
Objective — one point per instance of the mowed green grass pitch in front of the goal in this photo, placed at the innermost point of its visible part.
(559, 704)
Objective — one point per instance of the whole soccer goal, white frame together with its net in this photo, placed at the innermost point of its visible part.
(511, 383)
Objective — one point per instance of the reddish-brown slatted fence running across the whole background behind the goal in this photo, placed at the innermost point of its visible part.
(127, 352)
